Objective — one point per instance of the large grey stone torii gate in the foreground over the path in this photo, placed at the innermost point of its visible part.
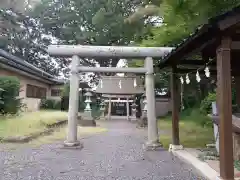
(79, 51)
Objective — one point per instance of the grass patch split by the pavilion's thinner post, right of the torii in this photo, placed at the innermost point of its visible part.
(194, 128)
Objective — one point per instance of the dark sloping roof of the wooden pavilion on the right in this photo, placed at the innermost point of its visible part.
(201, 46)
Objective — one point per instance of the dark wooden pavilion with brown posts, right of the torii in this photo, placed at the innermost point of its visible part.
(218, 44)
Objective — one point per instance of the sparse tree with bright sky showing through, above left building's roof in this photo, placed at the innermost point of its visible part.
(23, 37)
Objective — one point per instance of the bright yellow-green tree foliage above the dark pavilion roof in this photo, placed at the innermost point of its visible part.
(181, 18)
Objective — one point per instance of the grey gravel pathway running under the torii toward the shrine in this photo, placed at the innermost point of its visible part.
(116, 154)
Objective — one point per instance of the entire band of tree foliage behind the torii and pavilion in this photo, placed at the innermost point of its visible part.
(112, 22)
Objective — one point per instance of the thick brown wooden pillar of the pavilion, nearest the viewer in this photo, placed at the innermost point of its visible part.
(225, 109)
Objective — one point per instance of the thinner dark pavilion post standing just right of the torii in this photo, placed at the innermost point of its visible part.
(175, 95)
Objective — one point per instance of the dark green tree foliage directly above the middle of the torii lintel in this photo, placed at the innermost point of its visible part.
(96, 22)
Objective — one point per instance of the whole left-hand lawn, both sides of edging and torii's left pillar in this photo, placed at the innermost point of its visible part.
(32, 122)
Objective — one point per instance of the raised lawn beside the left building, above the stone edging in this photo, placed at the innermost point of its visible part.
(29, 122)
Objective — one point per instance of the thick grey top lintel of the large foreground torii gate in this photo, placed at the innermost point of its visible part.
(108, 51)
